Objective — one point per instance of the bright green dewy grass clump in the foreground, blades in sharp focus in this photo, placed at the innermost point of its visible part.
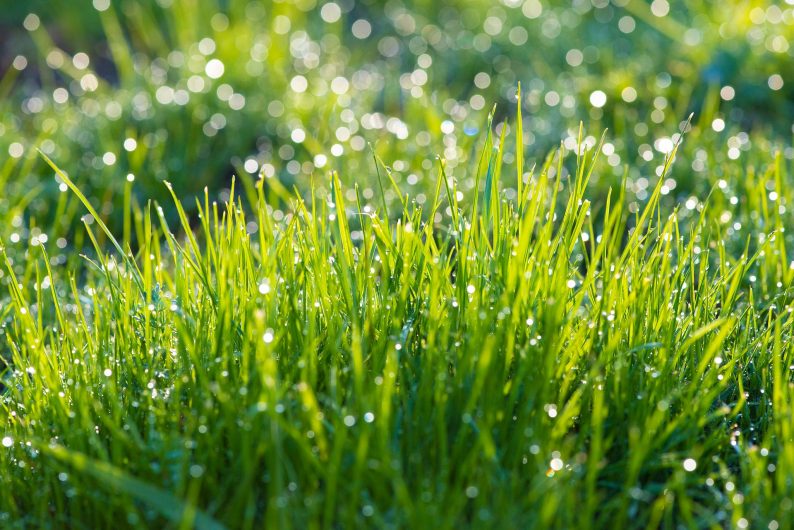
(537, 362)
